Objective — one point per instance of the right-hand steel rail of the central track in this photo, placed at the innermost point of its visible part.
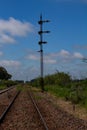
(36, 107)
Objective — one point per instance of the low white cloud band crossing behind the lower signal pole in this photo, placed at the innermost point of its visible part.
(57, 57)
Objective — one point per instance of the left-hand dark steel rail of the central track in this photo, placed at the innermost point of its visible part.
(7, 109)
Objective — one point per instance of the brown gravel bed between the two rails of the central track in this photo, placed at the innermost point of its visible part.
(22, 115)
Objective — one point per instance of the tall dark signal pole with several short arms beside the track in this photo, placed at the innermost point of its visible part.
(41, 42)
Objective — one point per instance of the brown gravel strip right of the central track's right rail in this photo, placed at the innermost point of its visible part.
(55, 116)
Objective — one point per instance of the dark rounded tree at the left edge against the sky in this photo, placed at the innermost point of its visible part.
(4, 75)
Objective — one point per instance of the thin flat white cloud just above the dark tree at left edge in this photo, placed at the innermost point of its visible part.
(10, 63)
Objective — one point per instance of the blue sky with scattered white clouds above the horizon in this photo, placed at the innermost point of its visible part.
(67, 42)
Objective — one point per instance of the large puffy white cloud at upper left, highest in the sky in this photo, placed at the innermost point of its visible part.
(13, 27)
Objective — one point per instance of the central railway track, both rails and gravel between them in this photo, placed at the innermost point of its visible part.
(9, 111)
